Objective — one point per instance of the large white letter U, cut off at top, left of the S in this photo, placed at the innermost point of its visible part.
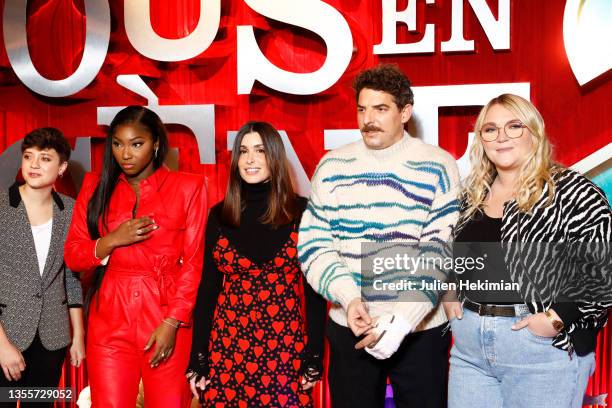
(147, 42)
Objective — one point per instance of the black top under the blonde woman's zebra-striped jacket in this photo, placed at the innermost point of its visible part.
(473, 241)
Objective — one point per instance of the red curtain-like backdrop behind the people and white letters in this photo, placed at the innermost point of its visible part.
(577, 117)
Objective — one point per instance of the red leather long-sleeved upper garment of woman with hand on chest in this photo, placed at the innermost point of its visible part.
(174, 253)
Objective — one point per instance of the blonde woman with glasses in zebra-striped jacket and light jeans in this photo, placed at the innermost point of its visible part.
(523, 348)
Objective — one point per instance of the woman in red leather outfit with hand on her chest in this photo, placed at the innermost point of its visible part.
(140, 228)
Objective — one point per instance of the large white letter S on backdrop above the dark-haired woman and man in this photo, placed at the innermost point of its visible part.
(313, 15)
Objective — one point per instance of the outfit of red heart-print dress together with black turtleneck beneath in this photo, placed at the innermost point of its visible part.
(249, 334)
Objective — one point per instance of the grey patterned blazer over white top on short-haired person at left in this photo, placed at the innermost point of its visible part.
(29, 302)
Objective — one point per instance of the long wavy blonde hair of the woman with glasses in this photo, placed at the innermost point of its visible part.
(534, 175)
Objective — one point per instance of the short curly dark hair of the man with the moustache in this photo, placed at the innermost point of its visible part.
(386, 78)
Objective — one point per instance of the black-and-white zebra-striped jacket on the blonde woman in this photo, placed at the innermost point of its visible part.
(579, 213)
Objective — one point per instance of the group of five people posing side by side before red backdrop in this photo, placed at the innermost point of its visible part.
(229, 305)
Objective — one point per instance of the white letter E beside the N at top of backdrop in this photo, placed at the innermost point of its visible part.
(388, 44)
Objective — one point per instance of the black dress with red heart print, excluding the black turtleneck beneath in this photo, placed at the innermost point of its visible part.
(257, 336)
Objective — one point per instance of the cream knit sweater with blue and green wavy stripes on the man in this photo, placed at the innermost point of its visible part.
(405, 193)
